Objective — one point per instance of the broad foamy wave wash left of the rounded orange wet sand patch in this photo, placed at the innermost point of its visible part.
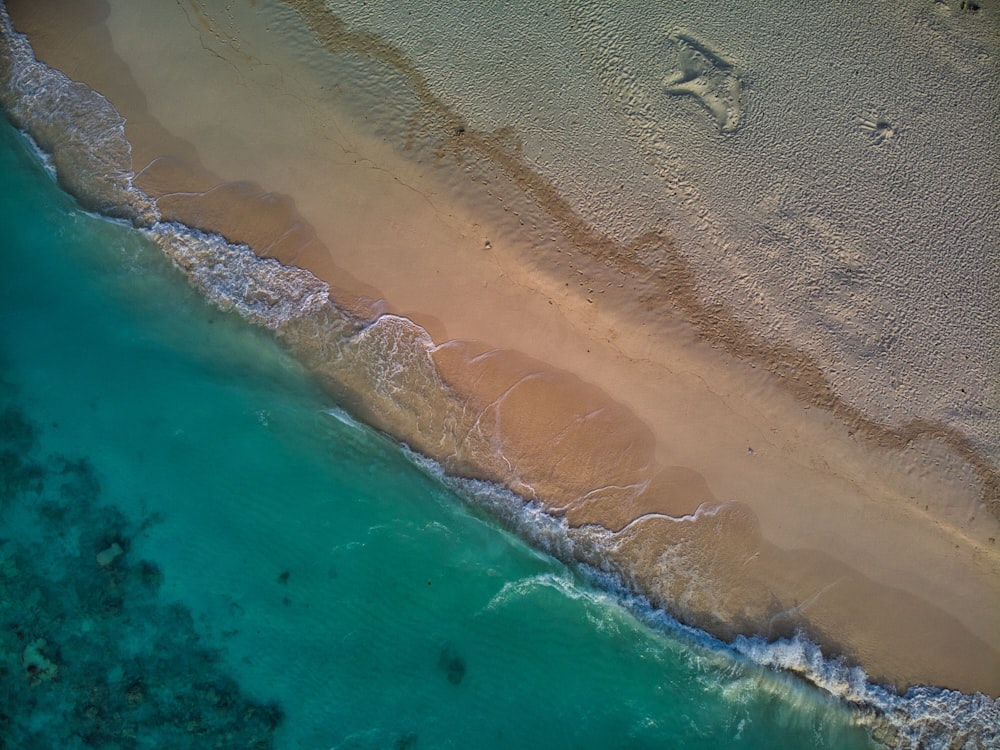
(381, 369)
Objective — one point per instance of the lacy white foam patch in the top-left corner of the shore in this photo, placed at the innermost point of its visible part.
(80, 129)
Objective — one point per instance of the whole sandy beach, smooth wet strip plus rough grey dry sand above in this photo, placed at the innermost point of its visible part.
(722, 300)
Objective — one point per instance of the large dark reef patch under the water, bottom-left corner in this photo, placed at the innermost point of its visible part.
(89, 654)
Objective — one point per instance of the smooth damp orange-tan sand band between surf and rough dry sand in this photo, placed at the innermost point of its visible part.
(607, 393)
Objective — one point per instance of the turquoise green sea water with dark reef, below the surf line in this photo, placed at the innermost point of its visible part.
(281, 577)
